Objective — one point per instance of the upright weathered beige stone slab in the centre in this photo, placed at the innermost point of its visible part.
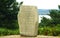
(28, 20)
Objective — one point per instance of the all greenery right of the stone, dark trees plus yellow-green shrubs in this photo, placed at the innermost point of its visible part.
(50, 26)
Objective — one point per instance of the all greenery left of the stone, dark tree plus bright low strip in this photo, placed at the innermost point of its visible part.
(8, 17)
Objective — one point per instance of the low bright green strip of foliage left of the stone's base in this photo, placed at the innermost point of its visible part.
(4, 31)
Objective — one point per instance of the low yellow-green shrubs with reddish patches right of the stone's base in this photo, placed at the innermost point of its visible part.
(49, 31)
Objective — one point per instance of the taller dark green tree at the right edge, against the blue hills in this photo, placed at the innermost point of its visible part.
(55, 15)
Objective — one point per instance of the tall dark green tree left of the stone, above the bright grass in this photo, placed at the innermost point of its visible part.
(8, 13)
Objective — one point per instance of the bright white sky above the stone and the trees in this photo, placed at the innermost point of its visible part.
(42, 4)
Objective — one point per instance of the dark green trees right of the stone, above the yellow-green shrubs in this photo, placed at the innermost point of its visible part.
(55, 18)
